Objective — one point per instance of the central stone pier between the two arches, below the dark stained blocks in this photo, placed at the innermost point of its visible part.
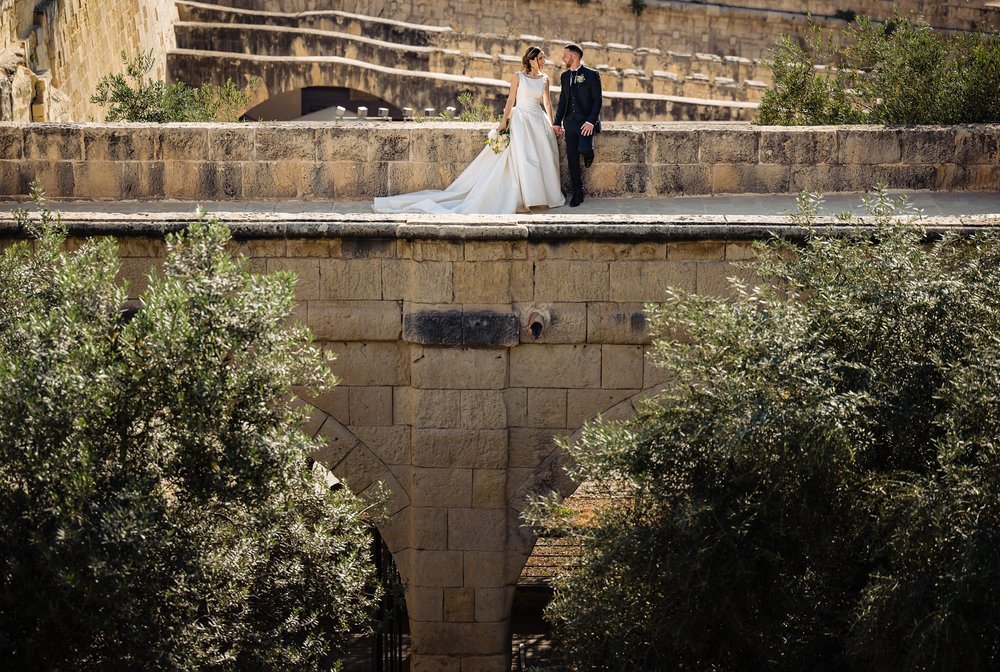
(457, 590)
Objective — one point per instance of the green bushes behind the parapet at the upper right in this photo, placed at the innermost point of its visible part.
(899, 72)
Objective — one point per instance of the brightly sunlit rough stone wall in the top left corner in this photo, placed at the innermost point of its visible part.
(68, 45)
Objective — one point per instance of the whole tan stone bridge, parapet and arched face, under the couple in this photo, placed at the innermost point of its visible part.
(465, 345)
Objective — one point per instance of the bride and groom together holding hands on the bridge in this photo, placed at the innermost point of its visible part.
(526, 173)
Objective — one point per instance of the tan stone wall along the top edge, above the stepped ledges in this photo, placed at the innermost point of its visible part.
(745, 28)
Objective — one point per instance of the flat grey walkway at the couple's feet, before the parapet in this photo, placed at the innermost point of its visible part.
(932, 203)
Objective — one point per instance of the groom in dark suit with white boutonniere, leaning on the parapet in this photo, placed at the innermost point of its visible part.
(578, 115)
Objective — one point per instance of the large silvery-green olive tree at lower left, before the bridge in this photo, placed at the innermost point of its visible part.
(157, 508)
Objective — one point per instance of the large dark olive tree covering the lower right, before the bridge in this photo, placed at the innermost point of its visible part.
(816, 488)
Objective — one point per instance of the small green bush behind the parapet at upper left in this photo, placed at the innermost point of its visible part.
(131, 96)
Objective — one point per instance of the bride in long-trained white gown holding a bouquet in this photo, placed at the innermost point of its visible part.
(524, 175)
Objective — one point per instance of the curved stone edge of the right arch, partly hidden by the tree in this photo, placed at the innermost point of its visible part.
(551, 476)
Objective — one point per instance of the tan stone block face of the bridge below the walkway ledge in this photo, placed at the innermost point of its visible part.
(448, 397)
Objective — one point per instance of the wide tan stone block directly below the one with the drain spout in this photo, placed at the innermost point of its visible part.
(555, 366)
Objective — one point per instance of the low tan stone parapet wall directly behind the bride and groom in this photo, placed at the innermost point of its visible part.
(358, 160)
